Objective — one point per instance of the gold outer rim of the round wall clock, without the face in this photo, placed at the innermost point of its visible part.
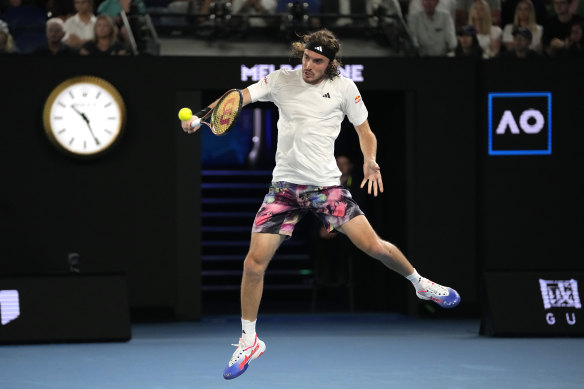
(50, 101)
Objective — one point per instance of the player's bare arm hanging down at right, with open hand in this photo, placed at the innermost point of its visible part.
(371, 170)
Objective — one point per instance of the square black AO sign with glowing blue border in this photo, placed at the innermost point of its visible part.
(520, 123)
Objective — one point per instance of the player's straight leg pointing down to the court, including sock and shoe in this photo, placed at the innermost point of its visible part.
(261, 251)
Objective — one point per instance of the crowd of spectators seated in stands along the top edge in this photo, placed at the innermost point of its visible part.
(460, 28)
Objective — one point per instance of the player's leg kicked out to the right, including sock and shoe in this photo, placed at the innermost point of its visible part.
(365, 238)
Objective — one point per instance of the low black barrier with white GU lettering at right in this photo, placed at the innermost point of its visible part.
(533, 304)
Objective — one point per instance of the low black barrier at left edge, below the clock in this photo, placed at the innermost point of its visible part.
(69, 308)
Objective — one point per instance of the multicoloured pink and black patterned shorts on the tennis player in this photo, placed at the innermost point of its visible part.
(286, 203)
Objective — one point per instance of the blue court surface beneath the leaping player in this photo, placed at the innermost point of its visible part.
(303, 351)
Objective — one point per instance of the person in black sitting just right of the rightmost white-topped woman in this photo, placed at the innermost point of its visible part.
(557, 28)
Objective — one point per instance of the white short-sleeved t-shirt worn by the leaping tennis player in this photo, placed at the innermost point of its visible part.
(310, 122)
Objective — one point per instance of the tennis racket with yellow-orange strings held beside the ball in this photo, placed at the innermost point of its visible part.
(222, 118)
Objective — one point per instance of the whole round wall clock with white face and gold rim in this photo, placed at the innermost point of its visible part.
(84, 116)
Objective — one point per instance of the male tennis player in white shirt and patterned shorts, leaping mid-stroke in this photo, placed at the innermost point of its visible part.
(312, 103)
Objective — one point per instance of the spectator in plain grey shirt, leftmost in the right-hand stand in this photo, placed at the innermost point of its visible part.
(432, 30)
